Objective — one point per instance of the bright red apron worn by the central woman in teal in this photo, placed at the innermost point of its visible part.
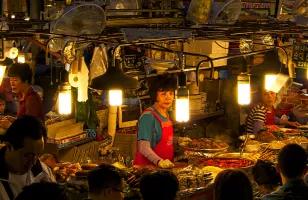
(164, 148)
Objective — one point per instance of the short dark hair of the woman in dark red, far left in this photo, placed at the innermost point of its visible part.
(22, 71)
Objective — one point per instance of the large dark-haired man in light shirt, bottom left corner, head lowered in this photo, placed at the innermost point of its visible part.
(19, 164)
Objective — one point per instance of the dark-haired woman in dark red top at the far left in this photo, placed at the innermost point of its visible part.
(30, 102)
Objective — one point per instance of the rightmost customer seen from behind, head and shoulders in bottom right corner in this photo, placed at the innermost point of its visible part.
(292, 160)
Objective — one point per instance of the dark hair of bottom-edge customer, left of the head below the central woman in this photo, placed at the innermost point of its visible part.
(102, 177)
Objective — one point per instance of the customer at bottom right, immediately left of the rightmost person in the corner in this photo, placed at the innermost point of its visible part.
(266, 176)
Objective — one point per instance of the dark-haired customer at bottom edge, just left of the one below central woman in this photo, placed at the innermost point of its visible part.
(105, 183)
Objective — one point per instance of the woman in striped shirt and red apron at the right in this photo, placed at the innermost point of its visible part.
(264, 114)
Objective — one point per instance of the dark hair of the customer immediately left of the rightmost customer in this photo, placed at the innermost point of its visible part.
(265, 173)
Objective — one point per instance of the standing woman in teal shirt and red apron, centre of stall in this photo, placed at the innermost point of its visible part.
(155, 129)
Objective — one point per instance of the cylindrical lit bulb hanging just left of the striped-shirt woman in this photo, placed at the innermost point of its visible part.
(243, 89)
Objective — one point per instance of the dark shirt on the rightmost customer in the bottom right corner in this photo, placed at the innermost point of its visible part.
(293, 190)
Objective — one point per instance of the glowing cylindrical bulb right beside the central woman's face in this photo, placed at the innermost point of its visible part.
(182, 109)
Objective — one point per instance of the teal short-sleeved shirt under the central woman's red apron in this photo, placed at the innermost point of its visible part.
(149, 128)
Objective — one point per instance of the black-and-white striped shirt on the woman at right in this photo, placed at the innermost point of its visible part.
(257, 114)
